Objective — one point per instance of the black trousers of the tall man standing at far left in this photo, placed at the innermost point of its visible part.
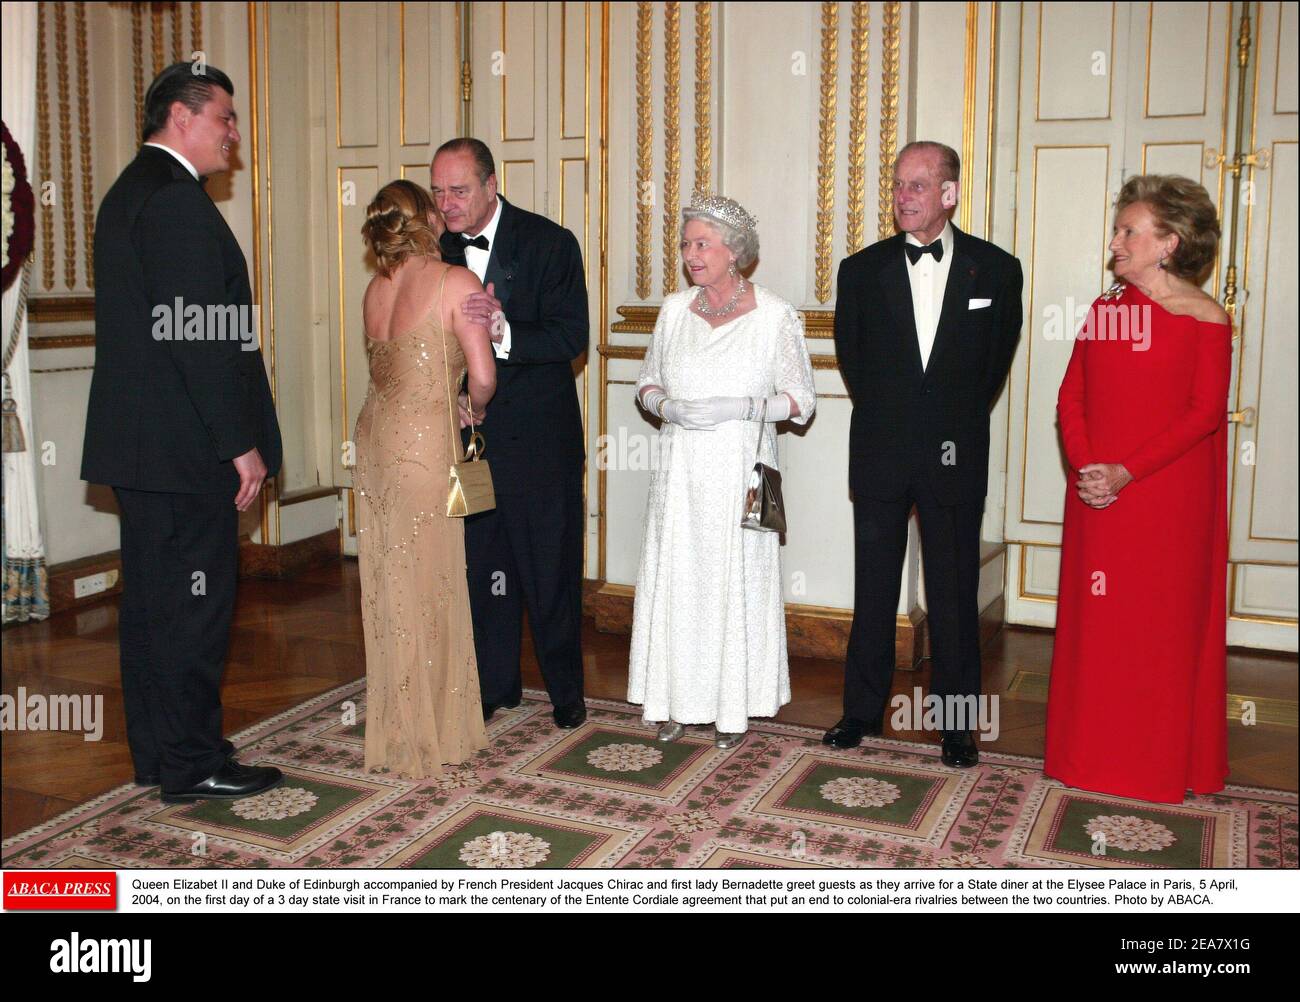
(180, 562)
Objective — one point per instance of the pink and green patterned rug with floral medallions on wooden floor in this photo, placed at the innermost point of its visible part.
(608, 795)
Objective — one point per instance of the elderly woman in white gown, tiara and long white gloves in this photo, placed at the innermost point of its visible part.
(727, 362)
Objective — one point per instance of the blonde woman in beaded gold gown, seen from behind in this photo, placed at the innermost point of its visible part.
(422, 679)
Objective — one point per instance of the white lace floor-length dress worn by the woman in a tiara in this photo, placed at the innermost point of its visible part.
(709, 624)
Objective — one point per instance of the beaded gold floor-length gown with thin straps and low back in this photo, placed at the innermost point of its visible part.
(422, 678)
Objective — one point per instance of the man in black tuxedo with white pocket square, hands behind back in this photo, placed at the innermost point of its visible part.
(926, 326)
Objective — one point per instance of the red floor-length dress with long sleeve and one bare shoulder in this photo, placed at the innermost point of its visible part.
(1138, 697)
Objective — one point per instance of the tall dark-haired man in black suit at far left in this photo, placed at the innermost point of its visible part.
(183, 427)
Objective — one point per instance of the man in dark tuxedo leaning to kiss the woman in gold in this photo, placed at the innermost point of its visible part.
(528, 552)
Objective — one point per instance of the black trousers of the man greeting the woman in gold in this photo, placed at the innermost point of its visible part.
(528, 554)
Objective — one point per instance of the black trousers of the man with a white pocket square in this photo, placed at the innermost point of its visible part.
(950, 546)
